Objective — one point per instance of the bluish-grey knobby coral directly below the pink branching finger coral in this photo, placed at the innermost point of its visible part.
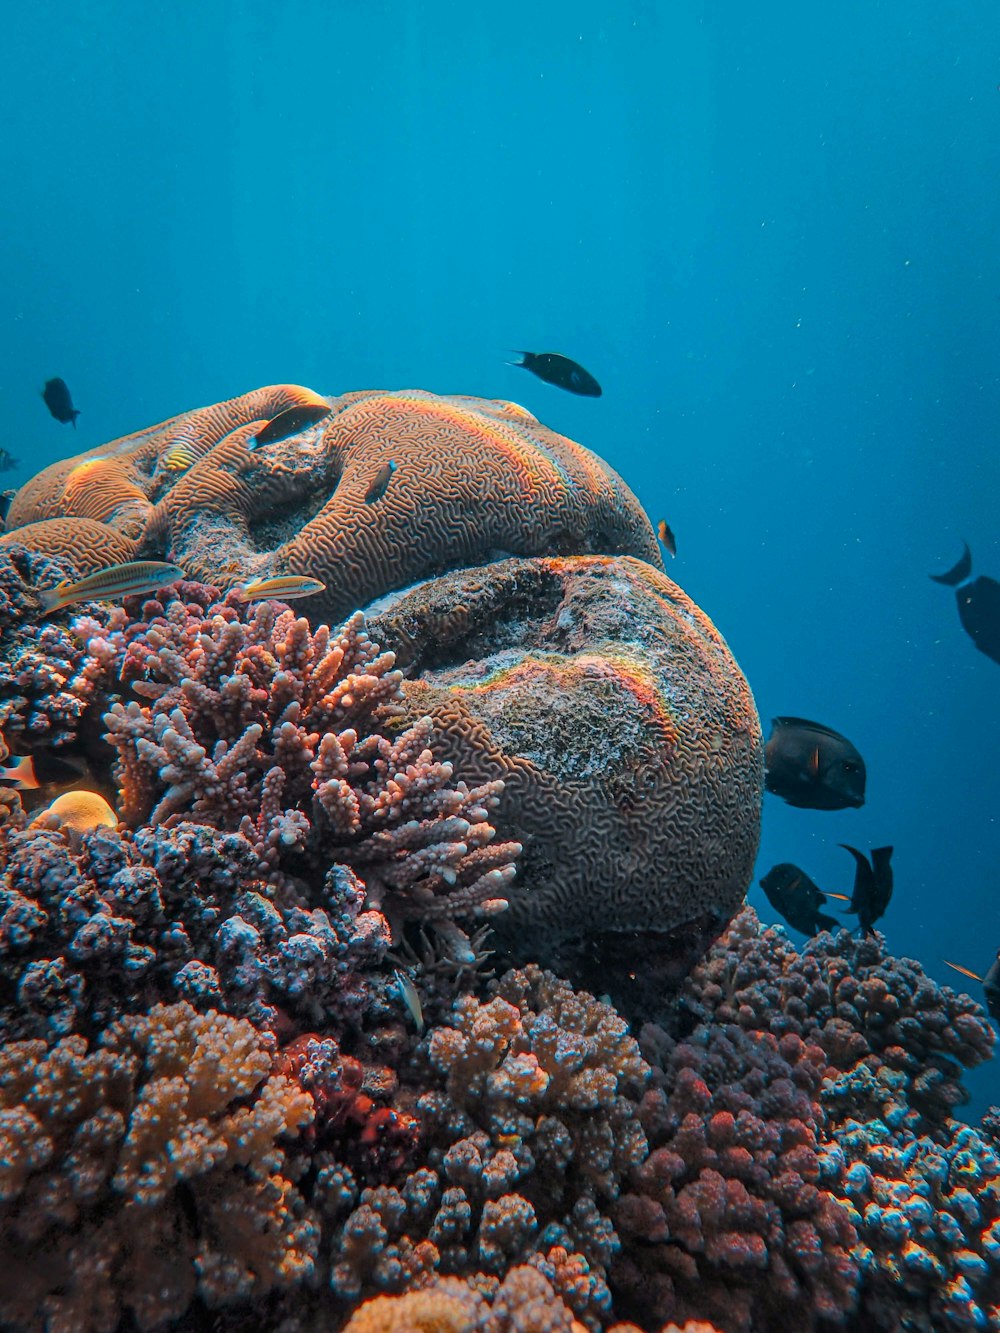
(119, 922)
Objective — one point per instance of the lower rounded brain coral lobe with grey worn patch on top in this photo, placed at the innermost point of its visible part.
(625, 734)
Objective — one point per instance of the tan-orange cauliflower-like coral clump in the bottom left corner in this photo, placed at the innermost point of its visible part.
(146, 1172)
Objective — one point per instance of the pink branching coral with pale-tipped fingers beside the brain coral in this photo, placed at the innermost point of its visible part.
(265, 727)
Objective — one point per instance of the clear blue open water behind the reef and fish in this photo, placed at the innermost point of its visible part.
(770, 231)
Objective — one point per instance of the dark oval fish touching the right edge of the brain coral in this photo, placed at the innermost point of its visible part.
(813, 767)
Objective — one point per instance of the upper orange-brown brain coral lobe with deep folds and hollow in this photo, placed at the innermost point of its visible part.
(475, 478)
